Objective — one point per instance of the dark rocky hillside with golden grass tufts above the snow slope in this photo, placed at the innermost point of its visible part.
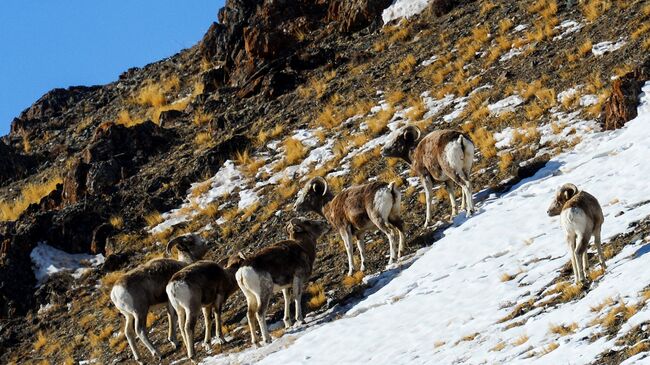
(127, 151)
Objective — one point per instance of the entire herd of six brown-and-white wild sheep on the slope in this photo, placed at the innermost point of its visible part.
(189, 284)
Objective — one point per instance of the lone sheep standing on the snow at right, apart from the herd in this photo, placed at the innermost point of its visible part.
(581, 217)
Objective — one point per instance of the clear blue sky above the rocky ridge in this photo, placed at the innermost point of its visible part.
(48, 44)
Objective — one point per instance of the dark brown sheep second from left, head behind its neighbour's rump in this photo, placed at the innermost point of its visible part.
(203, 285)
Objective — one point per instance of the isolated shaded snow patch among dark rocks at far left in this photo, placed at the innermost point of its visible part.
(48, 260)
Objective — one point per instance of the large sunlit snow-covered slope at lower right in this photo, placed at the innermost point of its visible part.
(445, 308)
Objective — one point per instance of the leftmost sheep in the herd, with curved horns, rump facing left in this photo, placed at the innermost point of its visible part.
(143, 287)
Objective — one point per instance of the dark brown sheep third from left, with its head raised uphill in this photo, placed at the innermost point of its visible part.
(285, 265)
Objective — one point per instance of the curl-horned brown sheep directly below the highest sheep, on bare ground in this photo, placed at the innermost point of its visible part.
(356, 210)
